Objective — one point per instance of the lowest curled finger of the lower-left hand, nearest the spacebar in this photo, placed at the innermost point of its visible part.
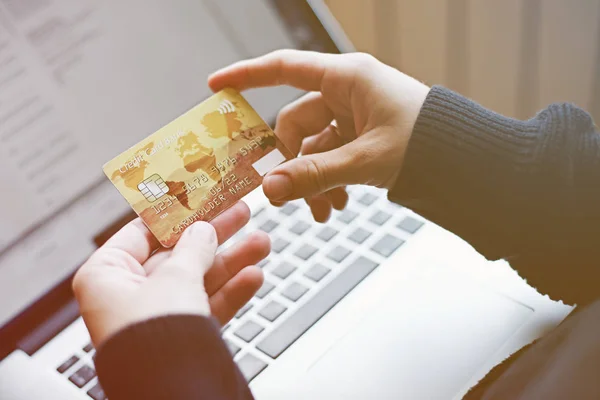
(225, 303)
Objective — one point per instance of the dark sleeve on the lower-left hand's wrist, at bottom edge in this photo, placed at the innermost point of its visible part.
(172, 357)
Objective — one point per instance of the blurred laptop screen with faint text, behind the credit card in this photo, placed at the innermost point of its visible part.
(80, 81)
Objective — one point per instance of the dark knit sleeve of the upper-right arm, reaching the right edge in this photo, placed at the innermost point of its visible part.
(525, 191)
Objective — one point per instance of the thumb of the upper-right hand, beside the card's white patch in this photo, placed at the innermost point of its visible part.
(313, 174)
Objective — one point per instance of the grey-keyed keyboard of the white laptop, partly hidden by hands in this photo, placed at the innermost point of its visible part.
(311, 268)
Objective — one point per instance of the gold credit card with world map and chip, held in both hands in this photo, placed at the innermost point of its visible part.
(197, 166)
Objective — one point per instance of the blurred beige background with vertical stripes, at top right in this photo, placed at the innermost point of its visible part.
(514, 56)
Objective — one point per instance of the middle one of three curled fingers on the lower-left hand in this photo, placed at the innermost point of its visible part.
(227, 264)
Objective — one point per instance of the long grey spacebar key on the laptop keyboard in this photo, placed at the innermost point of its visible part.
(307, 315)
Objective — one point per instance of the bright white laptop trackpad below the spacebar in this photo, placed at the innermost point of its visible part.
(425, 341)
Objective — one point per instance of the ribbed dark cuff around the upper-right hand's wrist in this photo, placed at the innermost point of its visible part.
(459, 158)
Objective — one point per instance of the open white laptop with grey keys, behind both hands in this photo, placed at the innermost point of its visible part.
(376, 303)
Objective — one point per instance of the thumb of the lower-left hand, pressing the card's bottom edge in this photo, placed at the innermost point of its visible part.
(195, 250)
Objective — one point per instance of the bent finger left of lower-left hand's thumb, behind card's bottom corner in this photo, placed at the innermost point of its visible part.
(134, 239)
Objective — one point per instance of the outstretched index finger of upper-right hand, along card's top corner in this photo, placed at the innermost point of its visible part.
(302, 69)
